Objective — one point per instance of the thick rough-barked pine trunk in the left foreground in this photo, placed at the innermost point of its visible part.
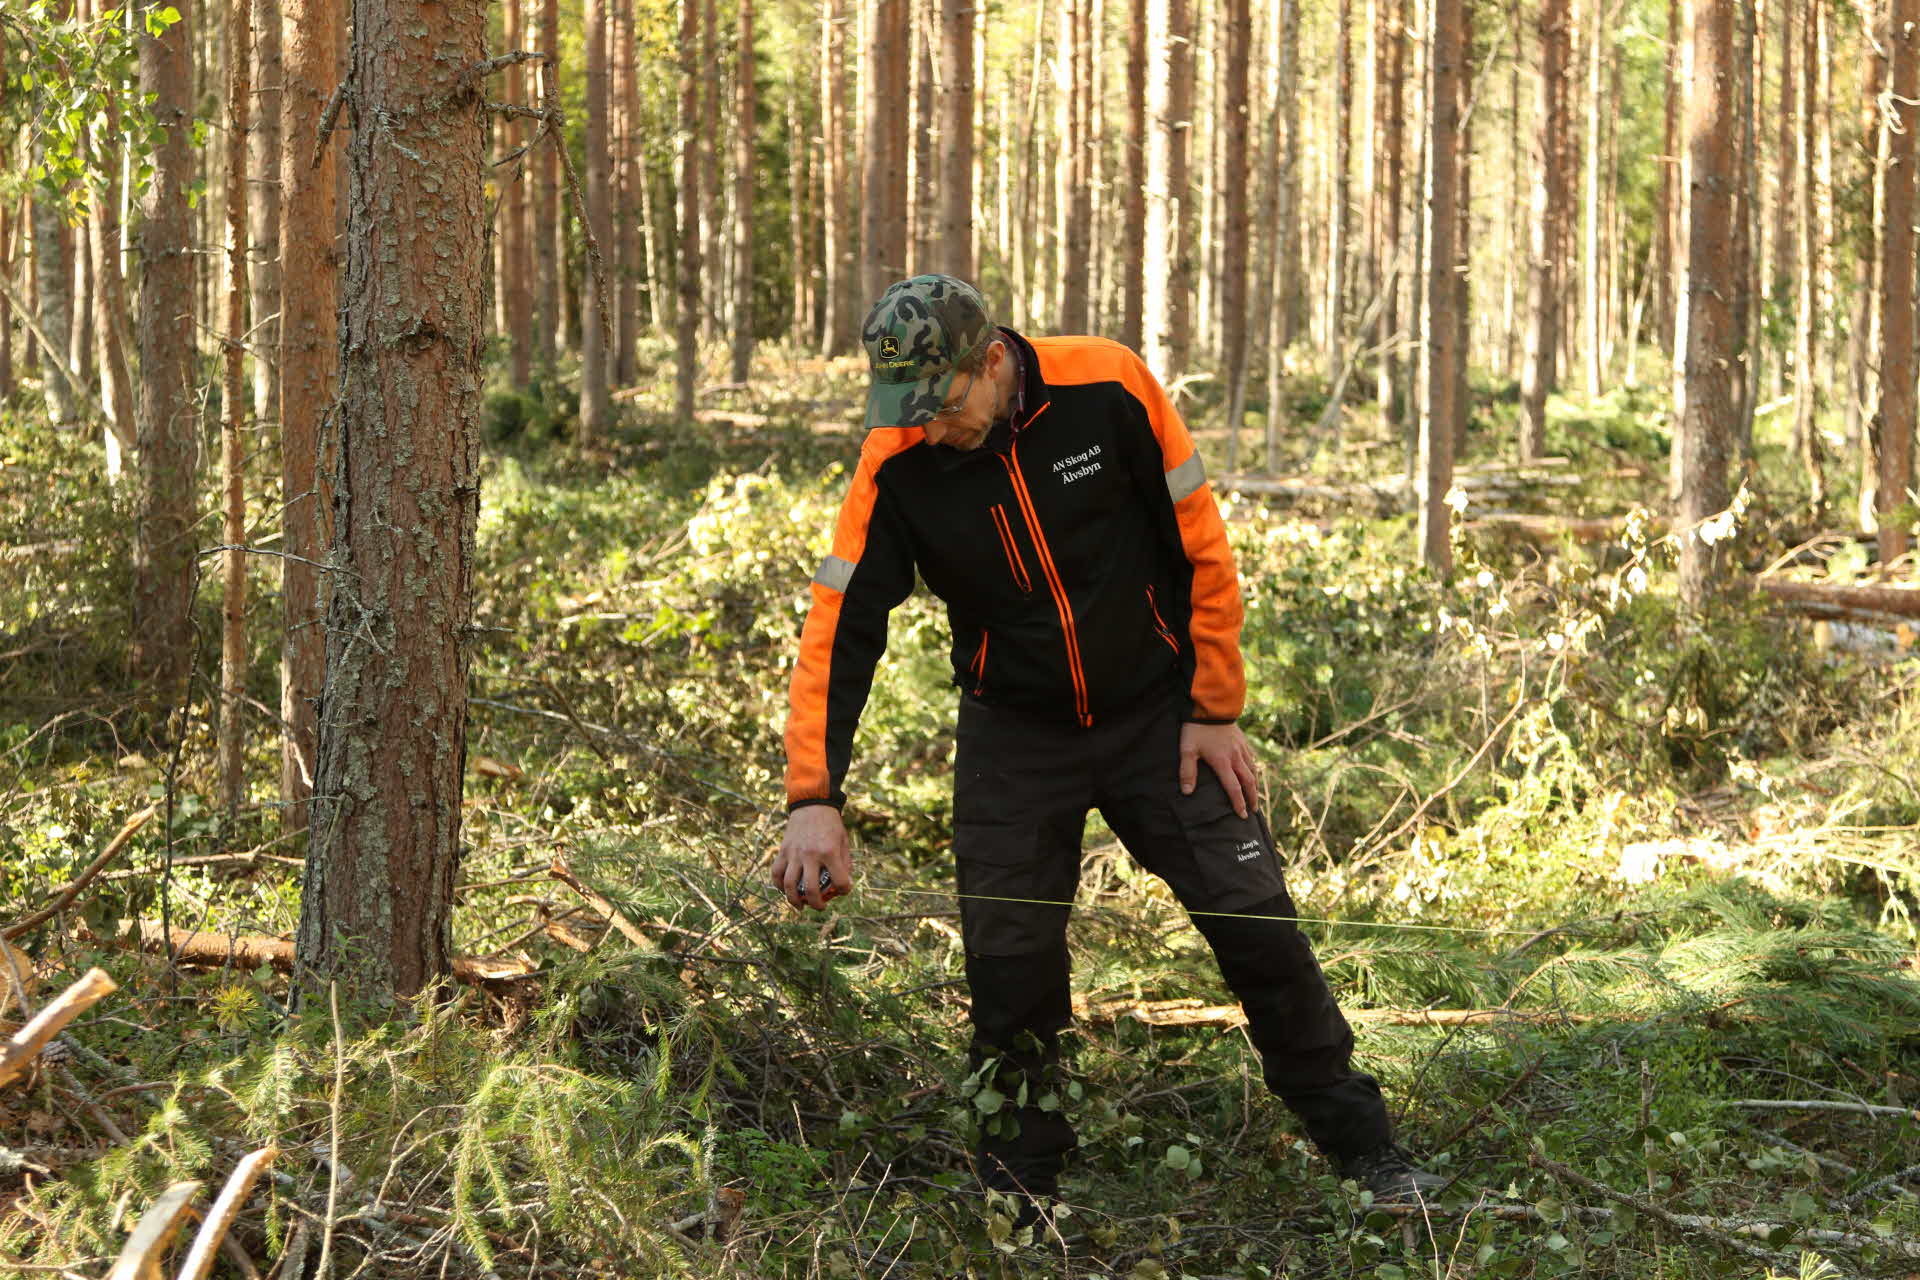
(377, 895)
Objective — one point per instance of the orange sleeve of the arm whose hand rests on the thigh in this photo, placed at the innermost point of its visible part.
(1216, 617)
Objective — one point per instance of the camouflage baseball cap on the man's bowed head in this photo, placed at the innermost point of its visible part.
(915, 337)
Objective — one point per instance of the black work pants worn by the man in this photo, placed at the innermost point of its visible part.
(1022, 792)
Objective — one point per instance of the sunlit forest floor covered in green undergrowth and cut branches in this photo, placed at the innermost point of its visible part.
(1668, 865)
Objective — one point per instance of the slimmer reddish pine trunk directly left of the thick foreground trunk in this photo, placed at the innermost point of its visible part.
(310, 291)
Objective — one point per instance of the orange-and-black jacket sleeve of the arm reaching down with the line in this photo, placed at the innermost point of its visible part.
(857, 586)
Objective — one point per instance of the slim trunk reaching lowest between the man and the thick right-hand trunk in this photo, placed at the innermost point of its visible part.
(1443, 285)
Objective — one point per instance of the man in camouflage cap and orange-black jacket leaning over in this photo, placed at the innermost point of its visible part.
(1051, 496)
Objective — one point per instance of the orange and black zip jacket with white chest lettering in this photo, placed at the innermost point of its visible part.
(1080, 554)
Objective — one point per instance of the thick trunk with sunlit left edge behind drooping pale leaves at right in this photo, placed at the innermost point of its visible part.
(1710, 327)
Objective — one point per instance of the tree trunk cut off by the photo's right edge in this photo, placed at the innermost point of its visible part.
(1898, 285)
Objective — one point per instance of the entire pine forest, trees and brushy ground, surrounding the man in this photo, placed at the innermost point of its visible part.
(420, 427)
